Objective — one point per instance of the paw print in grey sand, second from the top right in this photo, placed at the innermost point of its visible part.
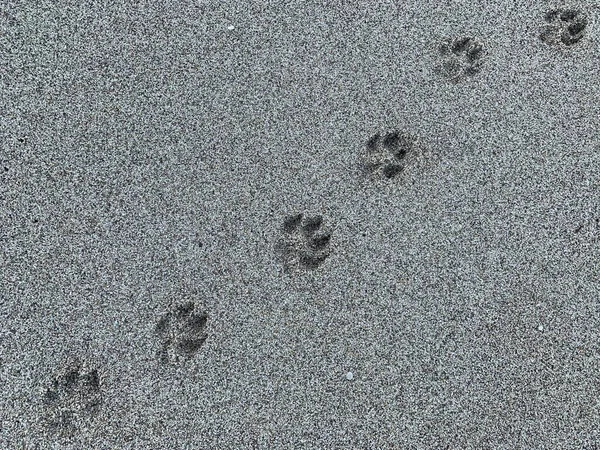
(460, 58)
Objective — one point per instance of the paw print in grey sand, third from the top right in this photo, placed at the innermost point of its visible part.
(385, 155)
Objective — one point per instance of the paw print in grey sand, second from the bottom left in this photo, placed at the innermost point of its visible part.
(182, 333)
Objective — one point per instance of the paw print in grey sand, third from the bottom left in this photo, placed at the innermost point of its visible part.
(303, 244)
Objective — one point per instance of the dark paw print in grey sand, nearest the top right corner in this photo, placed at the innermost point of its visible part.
(563, 26)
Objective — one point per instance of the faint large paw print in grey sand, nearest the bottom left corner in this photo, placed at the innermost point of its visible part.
(73, 398)
